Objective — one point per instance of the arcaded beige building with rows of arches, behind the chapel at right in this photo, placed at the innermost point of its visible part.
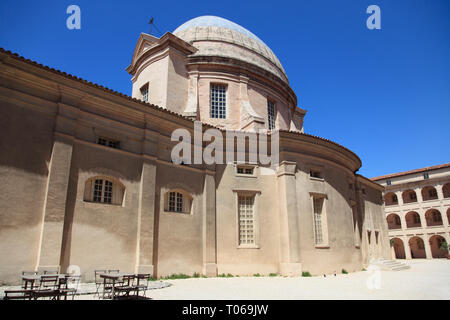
(417, 208)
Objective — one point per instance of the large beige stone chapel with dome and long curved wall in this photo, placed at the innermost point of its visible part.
(88, 179)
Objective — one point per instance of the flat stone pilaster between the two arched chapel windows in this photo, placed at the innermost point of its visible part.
(146, 216)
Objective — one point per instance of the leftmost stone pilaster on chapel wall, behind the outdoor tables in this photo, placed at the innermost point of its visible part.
(49, 254)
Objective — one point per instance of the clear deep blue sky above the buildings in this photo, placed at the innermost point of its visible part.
(384, 94)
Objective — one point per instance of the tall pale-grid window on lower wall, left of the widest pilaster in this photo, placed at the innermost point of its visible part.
(246, 220)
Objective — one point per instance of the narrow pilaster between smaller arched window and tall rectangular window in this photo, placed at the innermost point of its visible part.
(209, 224)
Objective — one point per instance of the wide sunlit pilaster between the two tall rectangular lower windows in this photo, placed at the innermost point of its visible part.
(290, 264)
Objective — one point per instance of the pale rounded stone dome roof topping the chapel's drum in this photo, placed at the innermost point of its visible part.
(206, 31)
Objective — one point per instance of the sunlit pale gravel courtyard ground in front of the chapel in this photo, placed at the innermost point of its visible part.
(427, 279)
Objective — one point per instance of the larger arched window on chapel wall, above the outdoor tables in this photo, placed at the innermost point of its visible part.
(104, 190)
